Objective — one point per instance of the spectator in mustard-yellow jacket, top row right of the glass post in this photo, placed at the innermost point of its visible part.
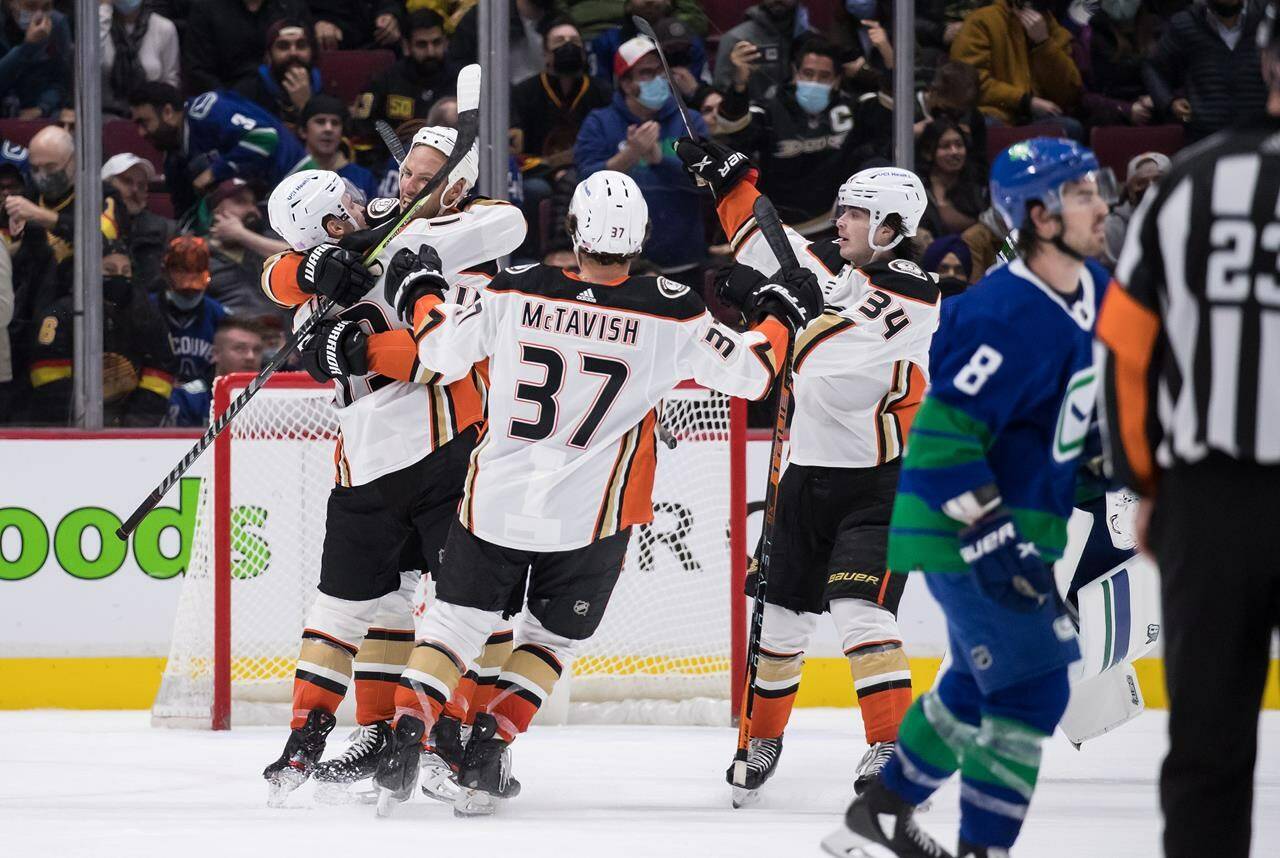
(1025, 65)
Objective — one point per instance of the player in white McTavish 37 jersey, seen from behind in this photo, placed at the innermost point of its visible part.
(579, 366)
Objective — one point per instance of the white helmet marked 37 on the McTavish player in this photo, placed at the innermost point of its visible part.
(610, 214)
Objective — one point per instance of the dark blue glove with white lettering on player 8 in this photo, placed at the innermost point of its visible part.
(1009, 569)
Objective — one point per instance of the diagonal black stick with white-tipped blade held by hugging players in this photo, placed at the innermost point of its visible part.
(469, 127)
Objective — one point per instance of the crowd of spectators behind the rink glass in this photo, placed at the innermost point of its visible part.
(237, 94)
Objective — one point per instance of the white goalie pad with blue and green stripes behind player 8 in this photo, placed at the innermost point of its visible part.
(1119, 618)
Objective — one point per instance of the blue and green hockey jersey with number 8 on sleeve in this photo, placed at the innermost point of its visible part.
(1012, 401)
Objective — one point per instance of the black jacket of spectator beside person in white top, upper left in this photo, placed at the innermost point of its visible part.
(226, 40)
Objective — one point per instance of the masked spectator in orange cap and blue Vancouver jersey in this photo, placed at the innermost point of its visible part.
(190, 314)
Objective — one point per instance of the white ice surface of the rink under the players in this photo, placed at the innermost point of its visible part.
(107, 784)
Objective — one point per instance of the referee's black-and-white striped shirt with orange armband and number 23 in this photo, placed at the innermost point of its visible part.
(1192, 359)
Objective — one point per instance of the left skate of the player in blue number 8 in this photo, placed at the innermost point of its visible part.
(881, 825)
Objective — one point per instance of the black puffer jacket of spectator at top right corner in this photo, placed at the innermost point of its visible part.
(1223, 85)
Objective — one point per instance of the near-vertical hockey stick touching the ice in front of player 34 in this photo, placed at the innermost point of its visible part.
(770, 226)
